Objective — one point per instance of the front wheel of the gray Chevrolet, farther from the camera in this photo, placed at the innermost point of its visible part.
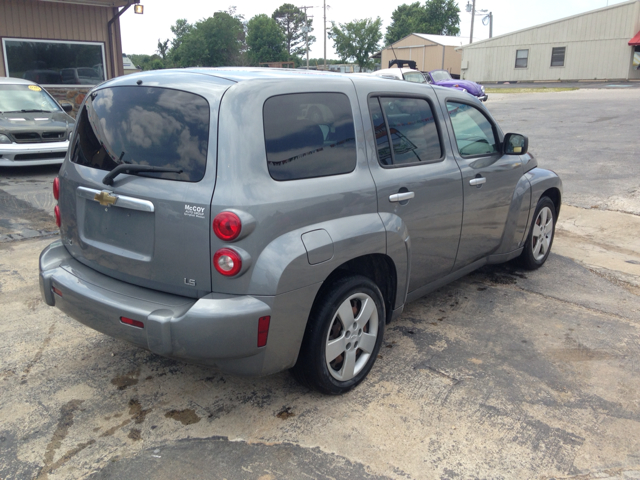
(540, 238)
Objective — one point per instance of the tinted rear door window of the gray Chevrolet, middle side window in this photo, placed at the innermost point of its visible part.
(412, 129)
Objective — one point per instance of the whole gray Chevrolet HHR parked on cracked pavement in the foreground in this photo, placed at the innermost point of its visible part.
(259, 220)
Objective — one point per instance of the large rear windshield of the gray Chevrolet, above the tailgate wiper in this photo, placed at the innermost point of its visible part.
(144, 126)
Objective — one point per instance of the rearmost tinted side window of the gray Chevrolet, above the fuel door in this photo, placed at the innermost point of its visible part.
(309, 135)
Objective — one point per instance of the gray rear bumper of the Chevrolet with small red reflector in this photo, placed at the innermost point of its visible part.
(218, 330)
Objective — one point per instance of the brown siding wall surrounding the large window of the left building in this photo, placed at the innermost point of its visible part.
(58, 21)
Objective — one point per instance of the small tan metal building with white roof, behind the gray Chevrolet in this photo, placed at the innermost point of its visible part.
(430, 52)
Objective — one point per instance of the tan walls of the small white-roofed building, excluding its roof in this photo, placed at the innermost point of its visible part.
(426, 54)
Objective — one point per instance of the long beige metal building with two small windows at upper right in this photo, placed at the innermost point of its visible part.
(597, 45)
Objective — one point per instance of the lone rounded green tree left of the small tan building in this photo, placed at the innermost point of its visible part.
(357, 40)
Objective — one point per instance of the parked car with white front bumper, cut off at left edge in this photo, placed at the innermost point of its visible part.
(34, 128)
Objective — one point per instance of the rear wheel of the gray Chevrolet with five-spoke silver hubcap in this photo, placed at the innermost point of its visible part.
(343, 336)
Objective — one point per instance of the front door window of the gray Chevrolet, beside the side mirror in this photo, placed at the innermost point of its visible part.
(474, 133)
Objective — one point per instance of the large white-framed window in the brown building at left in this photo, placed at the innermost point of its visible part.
(51, 62)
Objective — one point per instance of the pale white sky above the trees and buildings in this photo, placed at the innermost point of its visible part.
(140, 33)
